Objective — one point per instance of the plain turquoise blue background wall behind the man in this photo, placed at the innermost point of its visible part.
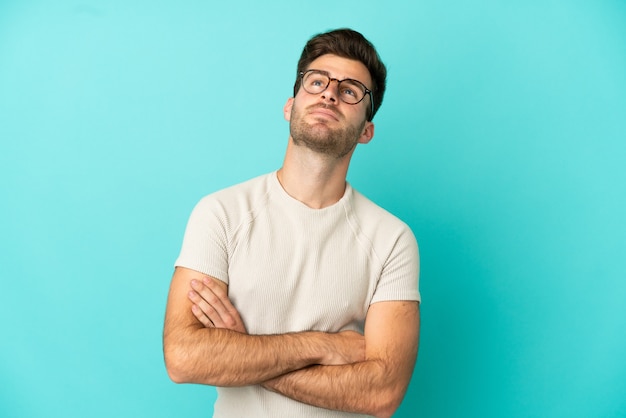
(501, 142)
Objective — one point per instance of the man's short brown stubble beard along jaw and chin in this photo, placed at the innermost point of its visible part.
(320, 138)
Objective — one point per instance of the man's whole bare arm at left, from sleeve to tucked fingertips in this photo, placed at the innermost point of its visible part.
(217, 356)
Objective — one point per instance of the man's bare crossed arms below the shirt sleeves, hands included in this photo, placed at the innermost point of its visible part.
(205, 341)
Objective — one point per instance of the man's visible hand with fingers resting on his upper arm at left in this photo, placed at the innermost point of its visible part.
(212, 307)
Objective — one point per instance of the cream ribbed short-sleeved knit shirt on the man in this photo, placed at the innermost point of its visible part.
(292, 268)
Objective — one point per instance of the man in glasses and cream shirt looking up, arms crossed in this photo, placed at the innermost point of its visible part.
(294, 294)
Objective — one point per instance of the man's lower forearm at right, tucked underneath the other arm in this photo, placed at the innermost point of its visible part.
(364, 387)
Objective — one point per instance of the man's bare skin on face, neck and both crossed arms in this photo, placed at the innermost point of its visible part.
(205, 339)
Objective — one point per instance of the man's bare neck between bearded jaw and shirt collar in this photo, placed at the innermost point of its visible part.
(316, 180)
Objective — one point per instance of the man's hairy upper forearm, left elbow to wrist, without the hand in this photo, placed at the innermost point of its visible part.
(221, 357)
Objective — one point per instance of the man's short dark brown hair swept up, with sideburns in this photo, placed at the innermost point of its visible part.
(346, 43)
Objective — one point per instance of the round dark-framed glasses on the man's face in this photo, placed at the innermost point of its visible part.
(350, 91)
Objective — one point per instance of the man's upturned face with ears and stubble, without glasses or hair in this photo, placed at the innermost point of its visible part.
(324, 123)
